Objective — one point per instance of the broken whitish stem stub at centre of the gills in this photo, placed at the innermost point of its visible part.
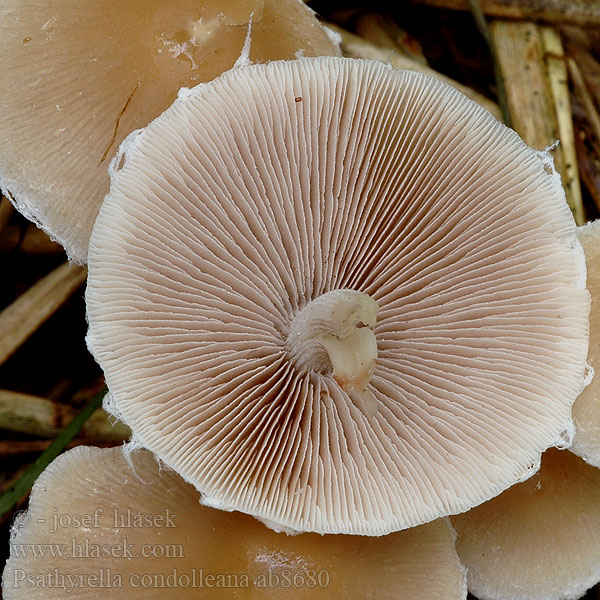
(334, 334)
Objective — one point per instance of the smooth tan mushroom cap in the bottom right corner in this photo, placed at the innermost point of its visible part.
(538, 540)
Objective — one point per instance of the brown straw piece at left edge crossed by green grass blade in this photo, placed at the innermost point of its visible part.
(44, 418)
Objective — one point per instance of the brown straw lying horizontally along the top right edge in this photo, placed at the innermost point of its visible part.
(578, 12)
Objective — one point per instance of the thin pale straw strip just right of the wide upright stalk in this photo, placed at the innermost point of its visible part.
(559, 87)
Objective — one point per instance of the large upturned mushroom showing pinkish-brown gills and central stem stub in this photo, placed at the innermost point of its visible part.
(288, 223)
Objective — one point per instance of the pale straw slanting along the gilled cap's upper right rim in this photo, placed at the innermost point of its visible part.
(355, 47)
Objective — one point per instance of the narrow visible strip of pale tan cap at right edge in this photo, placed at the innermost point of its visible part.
(586, 410)
